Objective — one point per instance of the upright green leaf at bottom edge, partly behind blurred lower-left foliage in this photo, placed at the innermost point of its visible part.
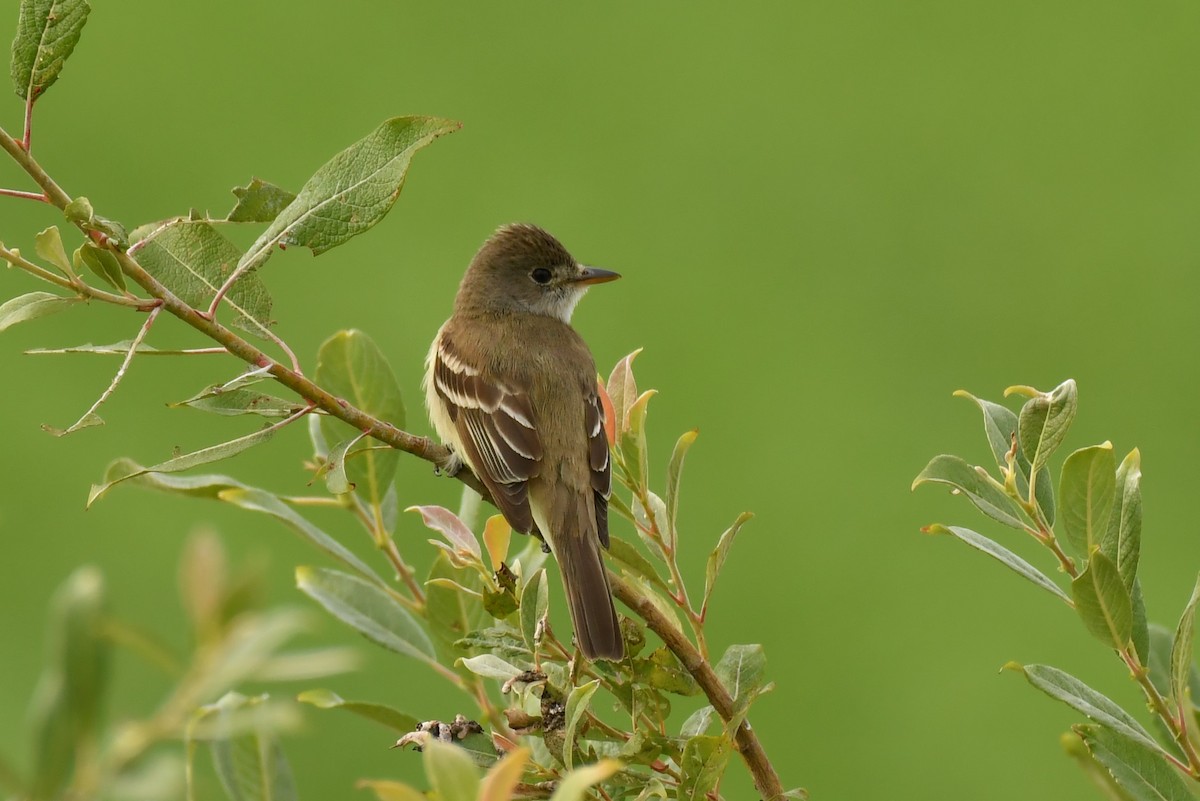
(251, 767)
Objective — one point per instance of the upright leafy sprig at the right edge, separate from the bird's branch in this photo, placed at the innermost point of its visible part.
(1099, 513)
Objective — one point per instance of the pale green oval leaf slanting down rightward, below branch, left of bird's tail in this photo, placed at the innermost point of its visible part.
(369, 610)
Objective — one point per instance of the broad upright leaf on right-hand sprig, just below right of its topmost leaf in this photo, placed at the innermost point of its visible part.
(1087, 492)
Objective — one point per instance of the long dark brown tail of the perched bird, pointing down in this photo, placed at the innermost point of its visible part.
(578, 550)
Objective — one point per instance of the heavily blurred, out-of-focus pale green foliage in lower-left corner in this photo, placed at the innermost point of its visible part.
(80, 754)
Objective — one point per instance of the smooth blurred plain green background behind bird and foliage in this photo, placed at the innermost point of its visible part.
(830, 216)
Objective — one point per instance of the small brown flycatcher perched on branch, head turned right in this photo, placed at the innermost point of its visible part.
(512, 388)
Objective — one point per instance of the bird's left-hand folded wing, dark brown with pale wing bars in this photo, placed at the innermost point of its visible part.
(495, 425)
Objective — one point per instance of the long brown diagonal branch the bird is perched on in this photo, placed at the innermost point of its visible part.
(765, 778)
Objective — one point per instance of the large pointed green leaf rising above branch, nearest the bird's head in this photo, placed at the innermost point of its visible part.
(351, 192)
